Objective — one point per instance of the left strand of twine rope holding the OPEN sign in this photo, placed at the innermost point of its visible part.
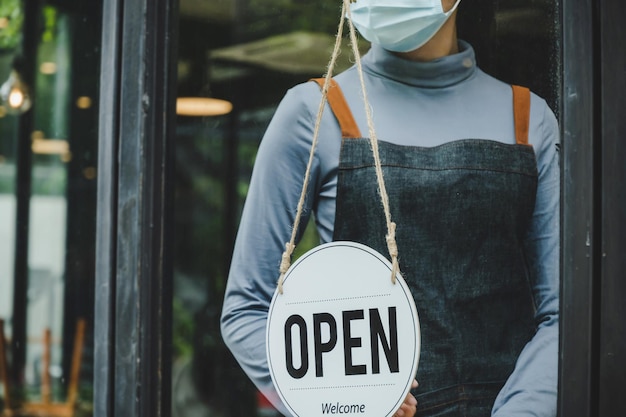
(290, 246)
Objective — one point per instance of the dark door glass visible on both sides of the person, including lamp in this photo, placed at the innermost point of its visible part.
(247, 54)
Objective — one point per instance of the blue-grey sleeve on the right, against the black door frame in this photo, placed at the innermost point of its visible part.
(531, 390)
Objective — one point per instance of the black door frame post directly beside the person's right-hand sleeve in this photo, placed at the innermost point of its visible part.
(579, 227)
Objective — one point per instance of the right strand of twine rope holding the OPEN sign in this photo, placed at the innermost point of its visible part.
(391, 226)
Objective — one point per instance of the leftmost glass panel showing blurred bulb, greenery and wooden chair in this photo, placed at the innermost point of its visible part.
(48, 154)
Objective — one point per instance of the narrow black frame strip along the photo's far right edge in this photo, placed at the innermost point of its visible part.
(612, 308)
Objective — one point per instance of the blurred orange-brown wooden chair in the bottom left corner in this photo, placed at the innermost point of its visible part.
(45, 407)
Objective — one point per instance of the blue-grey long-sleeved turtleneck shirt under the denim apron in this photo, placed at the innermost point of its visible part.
(417, 104)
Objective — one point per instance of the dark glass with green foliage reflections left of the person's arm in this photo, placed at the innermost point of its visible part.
(248, 54)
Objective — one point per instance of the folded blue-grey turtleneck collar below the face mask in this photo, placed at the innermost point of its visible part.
(441, 72)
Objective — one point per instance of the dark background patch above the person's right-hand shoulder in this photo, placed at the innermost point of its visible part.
(517, 41)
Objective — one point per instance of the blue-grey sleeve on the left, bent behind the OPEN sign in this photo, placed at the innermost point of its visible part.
(265, 227)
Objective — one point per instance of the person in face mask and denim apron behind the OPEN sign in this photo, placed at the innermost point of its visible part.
(473, 184)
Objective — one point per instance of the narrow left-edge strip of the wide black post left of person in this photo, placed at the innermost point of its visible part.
(106, 222)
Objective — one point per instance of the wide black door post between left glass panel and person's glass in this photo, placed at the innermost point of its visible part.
(133, 277)
